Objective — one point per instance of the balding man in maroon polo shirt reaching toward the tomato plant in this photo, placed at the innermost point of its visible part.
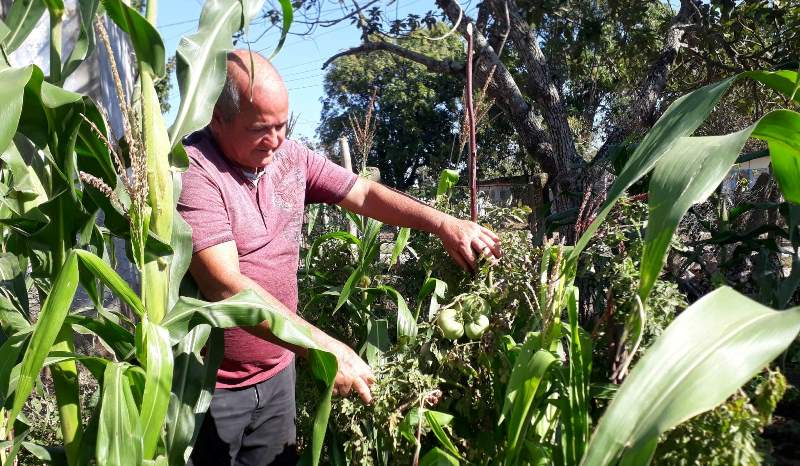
(244, 196)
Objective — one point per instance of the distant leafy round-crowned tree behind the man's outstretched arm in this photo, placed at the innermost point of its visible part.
(414, 109)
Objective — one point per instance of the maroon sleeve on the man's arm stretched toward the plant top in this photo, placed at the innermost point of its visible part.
(325, 181)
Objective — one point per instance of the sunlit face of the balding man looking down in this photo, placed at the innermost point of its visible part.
(251, 138)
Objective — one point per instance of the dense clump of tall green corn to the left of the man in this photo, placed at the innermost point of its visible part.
(61, 167)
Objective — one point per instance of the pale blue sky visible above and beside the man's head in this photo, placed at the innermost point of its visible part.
(299, 62)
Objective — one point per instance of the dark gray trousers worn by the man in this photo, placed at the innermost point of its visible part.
(250, 426)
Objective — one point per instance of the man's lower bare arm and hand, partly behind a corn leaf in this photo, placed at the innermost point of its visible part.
(216, 271)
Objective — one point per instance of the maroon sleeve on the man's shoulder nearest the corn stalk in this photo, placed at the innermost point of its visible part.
(202, 206)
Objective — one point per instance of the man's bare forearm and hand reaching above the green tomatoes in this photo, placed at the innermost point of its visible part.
(465, 241)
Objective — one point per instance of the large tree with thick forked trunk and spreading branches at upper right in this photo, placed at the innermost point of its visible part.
(577, 79)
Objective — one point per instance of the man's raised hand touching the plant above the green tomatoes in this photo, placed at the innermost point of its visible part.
(466, 242)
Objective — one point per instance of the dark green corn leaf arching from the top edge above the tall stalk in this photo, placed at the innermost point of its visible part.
(144, 37)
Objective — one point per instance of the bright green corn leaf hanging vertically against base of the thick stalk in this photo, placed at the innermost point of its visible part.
(158, 370)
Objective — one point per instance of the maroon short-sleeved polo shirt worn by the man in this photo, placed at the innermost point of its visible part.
(264, 218)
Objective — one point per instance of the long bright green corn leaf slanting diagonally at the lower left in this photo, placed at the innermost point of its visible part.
(51, 318)
